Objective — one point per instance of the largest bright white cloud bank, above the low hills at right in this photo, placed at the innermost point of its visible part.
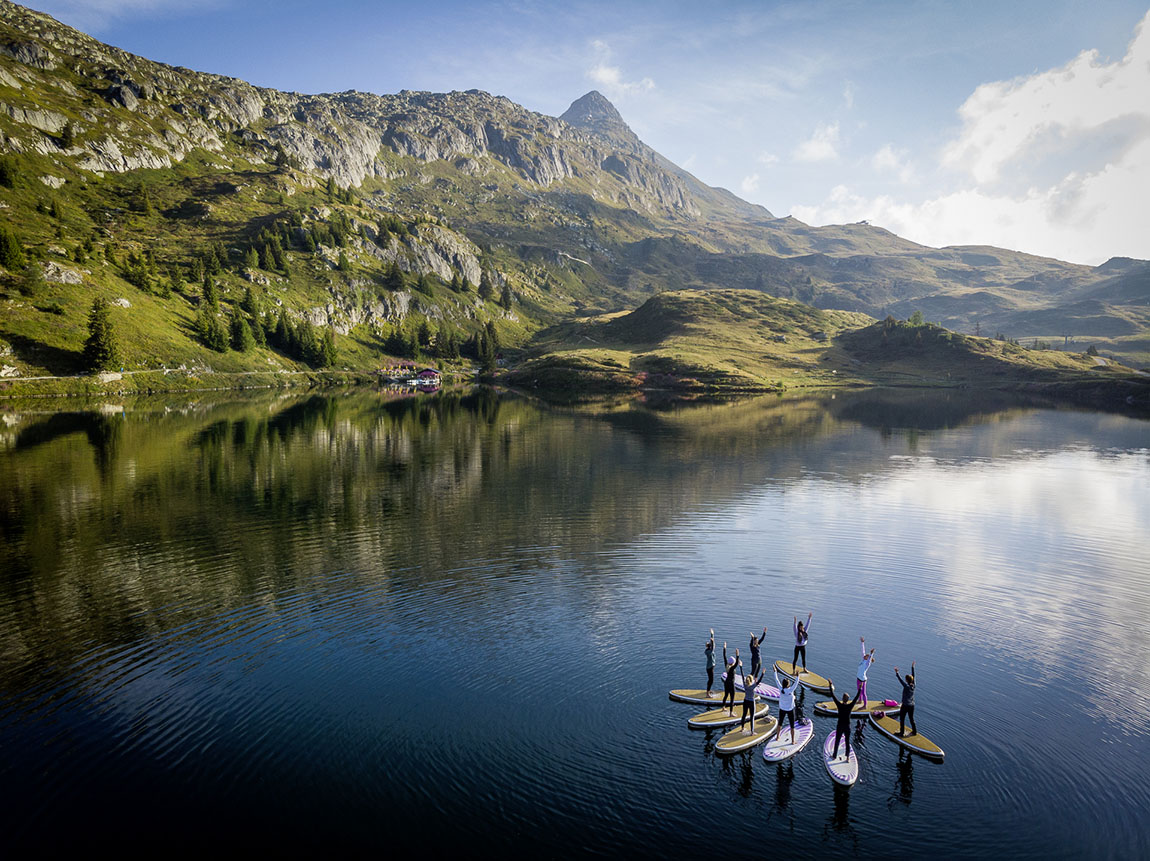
(1056, 164)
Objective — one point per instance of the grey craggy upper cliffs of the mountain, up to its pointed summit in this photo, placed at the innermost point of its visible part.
(152, 116)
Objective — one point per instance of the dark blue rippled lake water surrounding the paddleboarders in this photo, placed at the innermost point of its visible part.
(339, 622)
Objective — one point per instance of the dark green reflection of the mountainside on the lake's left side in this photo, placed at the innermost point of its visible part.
(108, 519)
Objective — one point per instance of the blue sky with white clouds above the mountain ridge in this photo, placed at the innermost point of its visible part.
(1023, 125)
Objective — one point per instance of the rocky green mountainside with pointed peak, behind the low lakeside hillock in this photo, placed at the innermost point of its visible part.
(124, 178)
